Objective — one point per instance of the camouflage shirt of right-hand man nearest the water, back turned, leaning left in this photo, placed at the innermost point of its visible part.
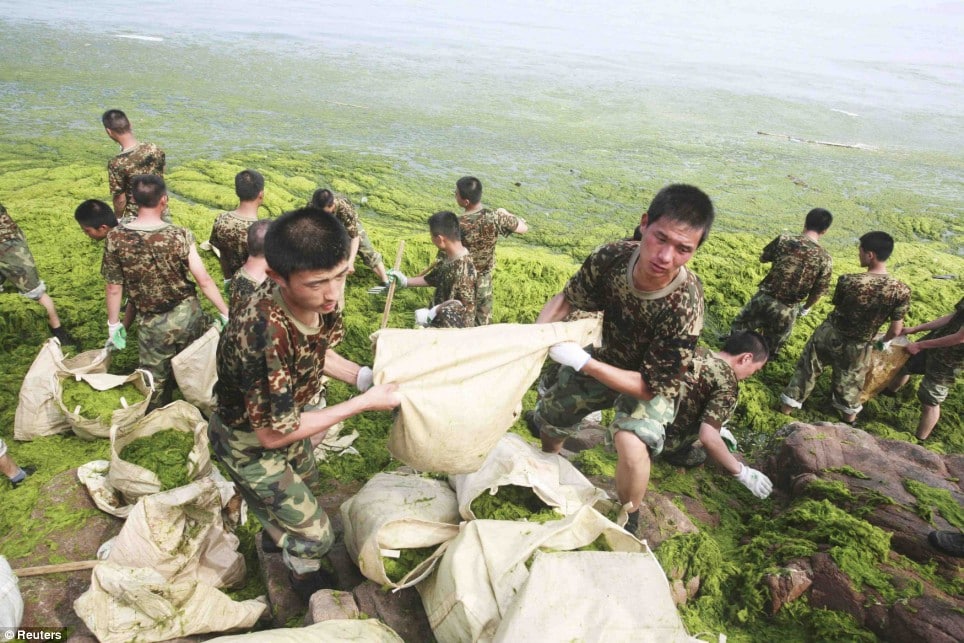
(801, 269)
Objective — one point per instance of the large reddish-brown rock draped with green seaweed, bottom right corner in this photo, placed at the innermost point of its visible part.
(874, 471)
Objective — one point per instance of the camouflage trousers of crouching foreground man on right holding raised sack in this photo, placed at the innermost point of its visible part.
(573, 396)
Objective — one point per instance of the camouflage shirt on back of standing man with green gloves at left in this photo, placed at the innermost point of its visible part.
(151, 263)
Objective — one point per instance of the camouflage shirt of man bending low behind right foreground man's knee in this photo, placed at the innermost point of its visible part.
(708, 396)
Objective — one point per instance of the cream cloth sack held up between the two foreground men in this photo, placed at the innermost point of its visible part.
(461, 389)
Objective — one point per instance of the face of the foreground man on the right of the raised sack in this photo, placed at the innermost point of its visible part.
(665, 246)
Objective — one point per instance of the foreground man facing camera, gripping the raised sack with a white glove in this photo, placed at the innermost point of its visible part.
(652, 316)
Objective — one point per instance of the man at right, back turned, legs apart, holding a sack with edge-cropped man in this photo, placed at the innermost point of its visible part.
(862, 302)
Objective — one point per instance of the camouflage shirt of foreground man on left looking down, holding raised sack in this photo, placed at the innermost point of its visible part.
(270, 366)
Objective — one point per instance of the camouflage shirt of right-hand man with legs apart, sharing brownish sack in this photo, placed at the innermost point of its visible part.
(863, 301)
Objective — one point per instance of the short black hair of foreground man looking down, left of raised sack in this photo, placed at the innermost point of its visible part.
(305, 239)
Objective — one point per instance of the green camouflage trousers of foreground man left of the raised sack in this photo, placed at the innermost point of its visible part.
(282, 487)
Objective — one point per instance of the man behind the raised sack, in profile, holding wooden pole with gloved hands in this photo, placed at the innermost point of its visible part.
(452, 276)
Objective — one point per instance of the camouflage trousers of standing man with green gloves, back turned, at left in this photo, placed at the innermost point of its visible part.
(162, 336)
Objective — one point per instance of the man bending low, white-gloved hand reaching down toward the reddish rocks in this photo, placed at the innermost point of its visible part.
(707, 400)
